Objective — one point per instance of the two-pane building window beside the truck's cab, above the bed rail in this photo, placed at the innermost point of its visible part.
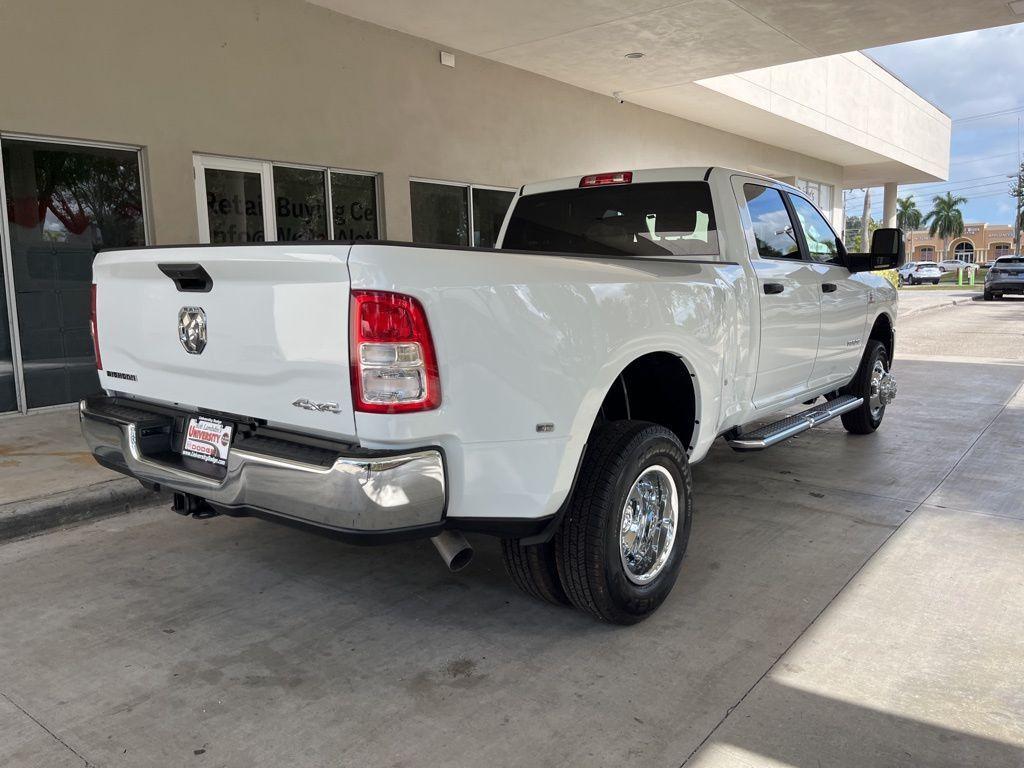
(446, 214)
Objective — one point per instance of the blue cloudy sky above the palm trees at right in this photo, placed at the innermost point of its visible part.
(966, 75)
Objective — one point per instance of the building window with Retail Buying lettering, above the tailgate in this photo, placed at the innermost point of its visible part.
(241, 201)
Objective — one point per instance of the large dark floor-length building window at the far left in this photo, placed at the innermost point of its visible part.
(65, 202)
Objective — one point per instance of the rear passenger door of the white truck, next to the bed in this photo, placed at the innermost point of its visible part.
(789, 290)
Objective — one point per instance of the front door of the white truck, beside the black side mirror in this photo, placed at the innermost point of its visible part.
(844, 298)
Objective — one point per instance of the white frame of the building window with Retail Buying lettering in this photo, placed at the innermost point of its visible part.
(266, 169)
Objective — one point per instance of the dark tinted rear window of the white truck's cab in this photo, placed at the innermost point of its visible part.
(673, 219)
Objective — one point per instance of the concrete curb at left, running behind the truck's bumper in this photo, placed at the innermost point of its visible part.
(92, 503)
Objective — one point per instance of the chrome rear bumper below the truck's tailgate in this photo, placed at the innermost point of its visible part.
(365, 492)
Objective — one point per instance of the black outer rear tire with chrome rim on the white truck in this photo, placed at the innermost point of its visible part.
(591, 562)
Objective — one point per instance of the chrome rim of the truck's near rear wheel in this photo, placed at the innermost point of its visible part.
(648, 532)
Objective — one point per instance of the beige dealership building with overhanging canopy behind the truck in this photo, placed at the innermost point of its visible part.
(134, 122)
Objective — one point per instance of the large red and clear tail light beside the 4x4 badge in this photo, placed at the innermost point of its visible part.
(395, 368)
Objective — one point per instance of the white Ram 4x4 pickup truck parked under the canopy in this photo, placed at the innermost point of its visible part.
(552, 392)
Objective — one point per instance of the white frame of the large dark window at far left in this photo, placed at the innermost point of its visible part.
(21, 396)
